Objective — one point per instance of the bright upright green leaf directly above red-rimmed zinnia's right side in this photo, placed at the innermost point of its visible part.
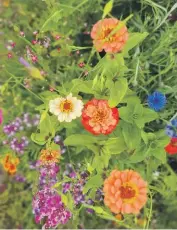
(117, 92)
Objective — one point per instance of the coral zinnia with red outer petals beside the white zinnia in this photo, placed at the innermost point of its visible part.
(99, 118)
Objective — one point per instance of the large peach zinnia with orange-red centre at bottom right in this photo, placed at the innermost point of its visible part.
(125, 192)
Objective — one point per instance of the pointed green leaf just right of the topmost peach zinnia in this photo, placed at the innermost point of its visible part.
(133, 40)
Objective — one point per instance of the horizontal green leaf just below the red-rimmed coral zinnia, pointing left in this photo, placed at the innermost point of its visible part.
(80, 139)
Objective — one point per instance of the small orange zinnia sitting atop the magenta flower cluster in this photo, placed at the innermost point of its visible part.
(49, 156)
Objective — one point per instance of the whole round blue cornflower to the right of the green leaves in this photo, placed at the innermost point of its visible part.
(157, 101)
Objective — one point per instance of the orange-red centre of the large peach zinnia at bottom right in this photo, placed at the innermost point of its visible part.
(128, 192)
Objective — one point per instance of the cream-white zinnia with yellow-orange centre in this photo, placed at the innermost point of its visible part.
(66, 109)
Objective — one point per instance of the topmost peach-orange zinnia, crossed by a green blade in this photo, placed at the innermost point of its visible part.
(103, 39)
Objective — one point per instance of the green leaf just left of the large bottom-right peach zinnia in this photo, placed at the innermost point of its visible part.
(94, 182)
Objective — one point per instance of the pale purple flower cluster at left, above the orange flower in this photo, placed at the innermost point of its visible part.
(16, 143)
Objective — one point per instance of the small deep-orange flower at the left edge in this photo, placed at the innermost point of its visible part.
(10, 163)
